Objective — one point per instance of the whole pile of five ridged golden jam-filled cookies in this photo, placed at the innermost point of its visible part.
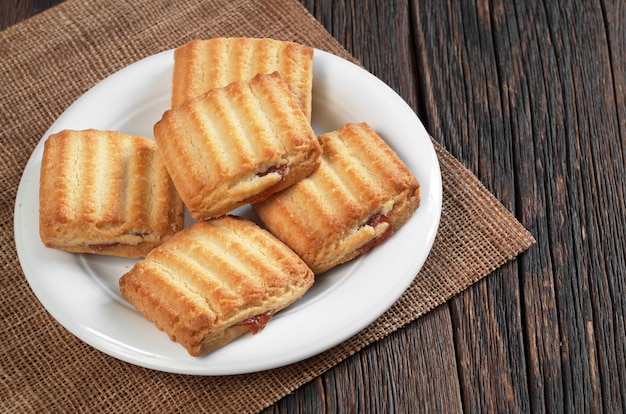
(238, 132)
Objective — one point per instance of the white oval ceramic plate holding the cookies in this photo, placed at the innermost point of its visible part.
(81, 291)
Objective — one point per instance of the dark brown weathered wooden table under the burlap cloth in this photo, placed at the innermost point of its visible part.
(531, 98)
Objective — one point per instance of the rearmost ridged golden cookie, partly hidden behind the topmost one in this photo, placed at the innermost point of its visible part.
(201, 65)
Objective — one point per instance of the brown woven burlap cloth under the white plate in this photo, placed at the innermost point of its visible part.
(50, 60)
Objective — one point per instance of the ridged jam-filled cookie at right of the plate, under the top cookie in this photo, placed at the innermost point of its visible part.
(361, 192)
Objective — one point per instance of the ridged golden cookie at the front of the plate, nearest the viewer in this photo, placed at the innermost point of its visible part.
(212, 276)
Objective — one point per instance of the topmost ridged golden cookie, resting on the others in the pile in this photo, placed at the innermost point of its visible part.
(236, 144)
